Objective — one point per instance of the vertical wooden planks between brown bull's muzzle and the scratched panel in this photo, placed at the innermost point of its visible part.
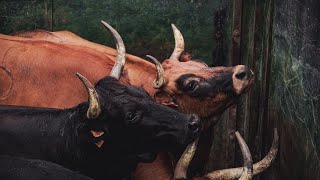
(253, 109)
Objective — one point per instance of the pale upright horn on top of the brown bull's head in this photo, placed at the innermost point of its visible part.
(179, 43)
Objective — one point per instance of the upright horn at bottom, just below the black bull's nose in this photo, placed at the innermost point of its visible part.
(180, 171)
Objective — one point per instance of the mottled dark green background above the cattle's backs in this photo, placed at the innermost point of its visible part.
(143, 24)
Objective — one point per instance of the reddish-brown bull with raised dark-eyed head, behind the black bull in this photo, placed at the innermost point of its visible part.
(32, 63)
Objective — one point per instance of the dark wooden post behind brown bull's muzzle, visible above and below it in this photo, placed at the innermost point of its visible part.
(223, 149)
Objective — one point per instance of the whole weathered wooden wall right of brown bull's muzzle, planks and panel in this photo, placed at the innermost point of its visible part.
(280, 41)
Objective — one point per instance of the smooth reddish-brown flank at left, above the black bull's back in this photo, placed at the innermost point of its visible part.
(41, 79)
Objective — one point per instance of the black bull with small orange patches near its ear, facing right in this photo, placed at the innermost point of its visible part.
(130, 128)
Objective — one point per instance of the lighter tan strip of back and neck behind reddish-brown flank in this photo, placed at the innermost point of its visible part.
(137, 72)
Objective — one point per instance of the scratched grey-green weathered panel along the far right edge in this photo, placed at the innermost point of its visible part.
(295, 87)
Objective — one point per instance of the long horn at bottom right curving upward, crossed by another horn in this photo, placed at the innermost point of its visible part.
(258, 167)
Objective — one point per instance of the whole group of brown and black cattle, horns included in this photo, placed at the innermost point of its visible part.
(77, 110)
